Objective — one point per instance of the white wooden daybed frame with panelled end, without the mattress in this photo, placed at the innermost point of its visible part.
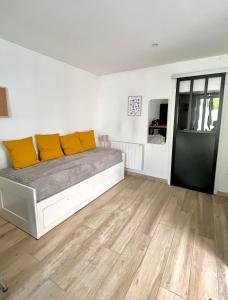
(18, 203)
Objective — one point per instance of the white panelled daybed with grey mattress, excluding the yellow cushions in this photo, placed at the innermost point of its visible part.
(22, 204)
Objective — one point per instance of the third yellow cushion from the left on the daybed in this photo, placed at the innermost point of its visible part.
(71, 144)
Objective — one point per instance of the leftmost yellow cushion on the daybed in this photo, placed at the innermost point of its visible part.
(22, 153)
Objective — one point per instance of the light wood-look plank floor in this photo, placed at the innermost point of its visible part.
(140, 240)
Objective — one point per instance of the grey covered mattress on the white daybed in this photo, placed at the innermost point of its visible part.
(54, 176)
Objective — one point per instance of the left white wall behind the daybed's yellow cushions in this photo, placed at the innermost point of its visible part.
(44, 95)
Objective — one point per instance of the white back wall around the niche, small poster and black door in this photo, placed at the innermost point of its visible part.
(154, 83)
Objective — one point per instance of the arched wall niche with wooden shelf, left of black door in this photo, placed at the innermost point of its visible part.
(157, 121)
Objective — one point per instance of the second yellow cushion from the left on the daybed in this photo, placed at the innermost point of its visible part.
(49, 146)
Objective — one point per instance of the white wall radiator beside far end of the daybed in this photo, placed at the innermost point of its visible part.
(133, 154)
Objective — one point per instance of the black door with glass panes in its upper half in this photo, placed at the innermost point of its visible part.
(196, 131)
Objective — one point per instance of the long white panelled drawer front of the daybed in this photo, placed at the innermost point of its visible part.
(59, 207)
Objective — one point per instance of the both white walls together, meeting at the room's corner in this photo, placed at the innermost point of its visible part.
(47, 96)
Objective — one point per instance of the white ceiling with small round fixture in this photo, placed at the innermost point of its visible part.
(106, 36)
